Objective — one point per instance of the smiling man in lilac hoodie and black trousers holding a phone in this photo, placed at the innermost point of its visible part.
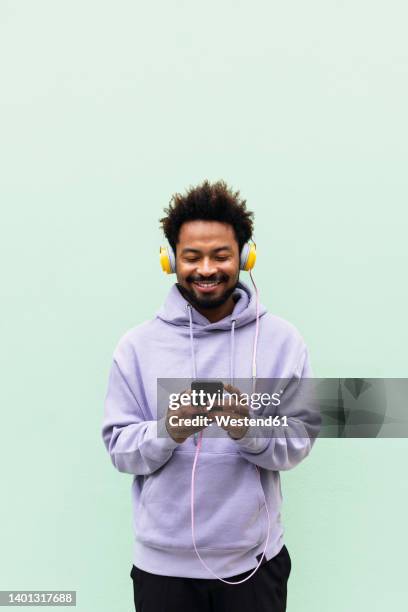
(205, 329)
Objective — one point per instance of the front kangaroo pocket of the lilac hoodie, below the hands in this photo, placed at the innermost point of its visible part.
(229, 512)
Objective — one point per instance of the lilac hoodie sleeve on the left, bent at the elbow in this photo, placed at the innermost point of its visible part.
(130, 440)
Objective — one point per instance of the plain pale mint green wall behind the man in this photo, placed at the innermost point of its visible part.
(107, 108)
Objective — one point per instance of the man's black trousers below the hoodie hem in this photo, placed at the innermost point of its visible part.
(265, 591)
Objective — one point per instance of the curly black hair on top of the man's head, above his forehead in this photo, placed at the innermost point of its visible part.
(208, 202)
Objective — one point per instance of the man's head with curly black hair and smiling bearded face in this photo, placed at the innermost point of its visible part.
(207, 227)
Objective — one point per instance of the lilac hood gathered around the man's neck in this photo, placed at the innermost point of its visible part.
(176, 310)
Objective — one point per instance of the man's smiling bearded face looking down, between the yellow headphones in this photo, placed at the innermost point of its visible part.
(207, 262)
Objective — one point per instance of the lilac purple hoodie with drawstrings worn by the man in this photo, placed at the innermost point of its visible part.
(230, 518)
